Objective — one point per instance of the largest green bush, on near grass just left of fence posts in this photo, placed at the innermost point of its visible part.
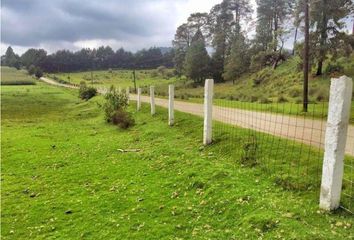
(115, 109)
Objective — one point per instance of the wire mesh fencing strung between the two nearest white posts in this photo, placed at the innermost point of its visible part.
(284, 141)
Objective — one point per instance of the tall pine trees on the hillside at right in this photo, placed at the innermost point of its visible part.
(224, 30)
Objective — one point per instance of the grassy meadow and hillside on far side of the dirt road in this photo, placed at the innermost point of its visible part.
(278, 91)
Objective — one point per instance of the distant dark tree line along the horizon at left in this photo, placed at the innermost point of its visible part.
(89, 59)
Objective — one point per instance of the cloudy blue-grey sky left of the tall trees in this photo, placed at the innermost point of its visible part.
(74, 24)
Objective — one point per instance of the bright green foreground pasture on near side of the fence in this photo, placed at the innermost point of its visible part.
(59, 155)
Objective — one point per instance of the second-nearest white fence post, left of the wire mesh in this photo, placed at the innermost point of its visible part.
(208, 111)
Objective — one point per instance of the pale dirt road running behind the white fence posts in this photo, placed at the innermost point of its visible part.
(308, 131)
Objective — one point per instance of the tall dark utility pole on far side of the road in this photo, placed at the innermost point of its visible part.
(306, 56)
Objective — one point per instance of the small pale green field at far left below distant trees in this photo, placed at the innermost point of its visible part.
(12, 76)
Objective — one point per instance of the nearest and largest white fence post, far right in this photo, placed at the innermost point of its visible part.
(335, 141)
